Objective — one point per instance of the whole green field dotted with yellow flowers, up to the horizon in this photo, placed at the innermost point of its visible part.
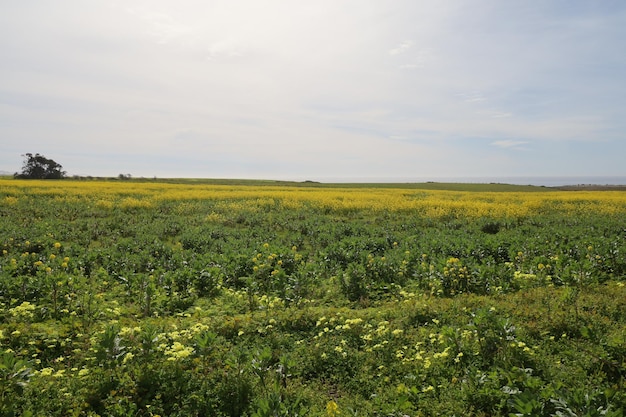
(130, 298)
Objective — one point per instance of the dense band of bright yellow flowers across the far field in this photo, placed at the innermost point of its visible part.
(247, 198)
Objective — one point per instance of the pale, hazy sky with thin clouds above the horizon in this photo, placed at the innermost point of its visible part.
(326, 89)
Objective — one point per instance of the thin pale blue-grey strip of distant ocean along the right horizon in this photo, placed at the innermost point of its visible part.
(539, 181)
